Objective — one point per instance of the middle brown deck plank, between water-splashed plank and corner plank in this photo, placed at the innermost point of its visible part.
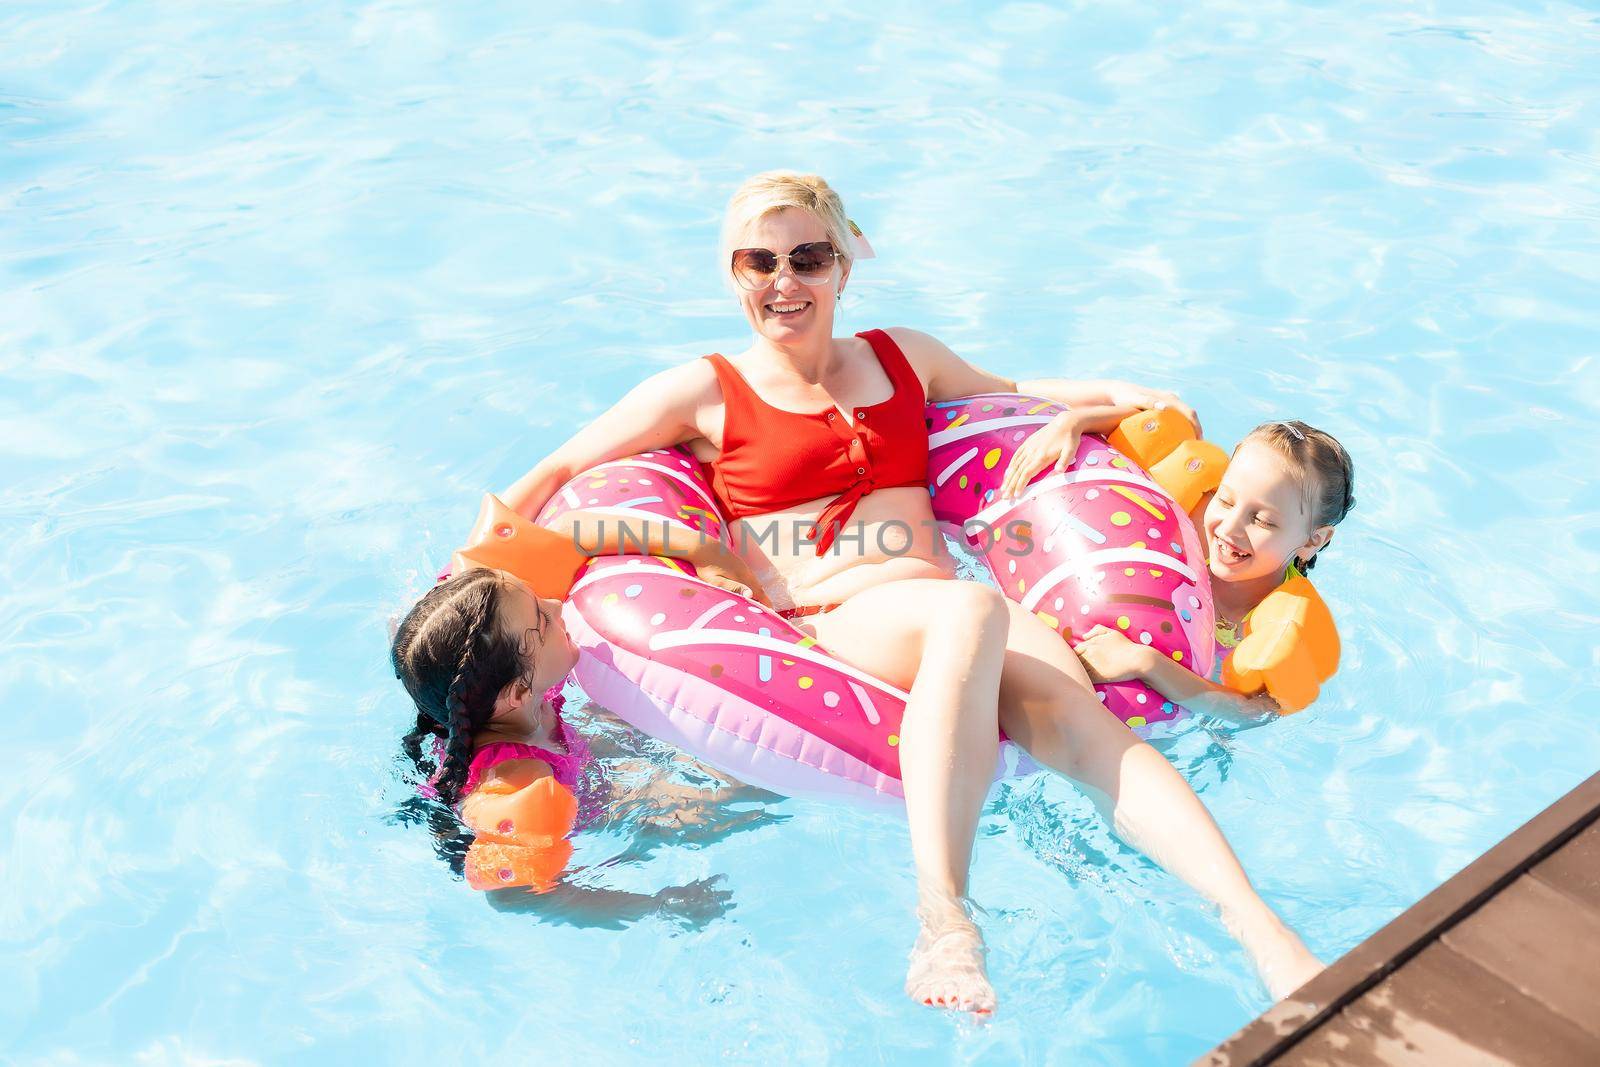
(1543, 943)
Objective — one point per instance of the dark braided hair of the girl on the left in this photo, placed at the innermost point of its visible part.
(454, 658)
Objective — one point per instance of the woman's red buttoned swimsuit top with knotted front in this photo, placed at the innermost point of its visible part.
(774, 460)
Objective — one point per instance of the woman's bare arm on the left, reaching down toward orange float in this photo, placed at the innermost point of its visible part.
(662, 412)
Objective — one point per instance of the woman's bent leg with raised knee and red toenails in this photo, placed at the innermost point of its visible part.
(945, 642)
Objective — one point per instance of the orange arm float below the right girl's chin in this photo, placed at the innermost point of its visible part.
(1290, 647)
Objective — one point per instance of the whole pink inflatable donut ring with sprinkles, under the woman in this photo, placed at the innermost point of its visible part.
(734, 684)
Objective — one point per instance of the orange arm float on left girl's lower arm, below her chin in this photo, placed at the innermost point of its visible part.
(521, 834)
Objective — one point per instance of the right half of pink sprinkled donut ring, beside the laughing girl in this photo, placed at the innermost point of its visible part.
(1098, 545)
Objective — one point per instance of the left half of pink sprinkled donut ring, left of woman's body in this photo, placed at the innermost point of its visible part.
(718, 674)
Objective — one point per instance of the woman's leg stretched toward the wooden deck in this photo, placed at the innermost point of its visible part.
(1049, 708)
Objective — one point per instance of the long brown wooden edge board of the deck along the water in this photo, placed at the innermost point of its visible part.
(1370, 962)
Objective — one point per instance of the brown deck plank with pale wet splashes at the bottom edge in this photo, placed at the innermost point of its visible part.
(1442, 1009)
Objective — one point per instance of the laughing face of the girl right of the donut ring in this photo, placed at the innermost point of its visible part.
(1258, 519)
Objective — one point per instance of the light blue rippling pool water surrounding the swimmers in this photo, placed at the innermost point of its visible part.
(286, 287)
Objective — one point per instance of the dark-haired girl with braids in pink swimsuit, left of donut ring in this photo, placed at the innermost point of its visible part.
(484, 658)
